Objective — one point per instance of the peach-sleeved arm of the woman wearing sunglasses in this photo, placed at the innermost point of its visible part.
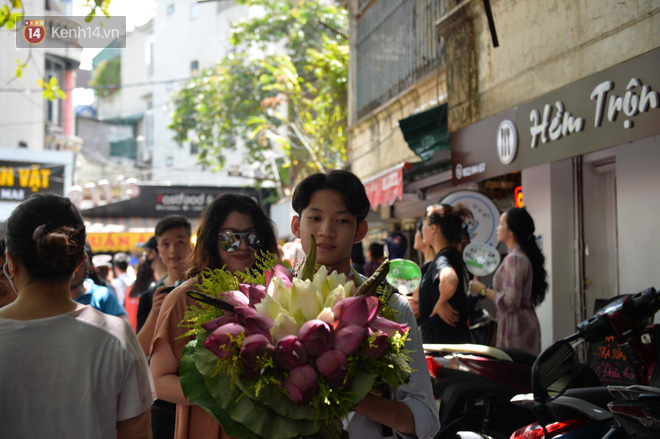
(164, 362)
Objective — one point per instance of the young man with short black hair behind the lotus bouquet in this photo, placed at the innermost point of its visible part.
(332, 207)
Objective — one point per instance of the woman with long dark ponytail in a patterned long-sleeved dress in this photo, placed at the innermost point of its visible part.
(519, 283)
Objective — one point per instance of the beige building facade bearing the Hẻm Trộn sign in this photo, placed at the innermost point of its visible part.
(543, 67)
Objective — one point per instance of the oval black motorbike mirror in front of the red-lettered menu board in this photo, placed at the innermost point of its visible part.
(553, 371)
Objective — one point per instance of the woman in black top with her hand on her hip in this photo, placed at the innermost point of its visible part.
(443, 307)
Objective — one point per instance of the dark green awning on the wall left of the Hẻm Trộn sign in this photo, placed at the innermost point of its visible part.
(427, 132)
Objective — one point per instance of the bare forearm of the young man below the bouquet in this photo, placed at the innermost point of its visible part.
(393, 414)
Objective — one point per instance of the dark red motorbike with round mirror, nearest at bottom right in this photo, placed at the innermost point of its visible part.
(612, 412)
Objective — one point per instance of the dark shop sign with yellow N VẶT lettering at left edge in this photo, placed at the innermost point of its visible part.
(19, 180)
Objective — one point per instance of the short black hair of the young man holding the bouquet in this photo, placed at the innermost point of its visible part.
(343, 182)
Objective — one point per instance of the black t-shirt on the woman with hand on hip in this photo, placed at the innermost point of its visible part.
(434, 329)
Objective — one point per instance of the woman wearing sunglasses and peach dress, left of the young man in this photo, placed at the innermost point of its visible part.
(232, 231)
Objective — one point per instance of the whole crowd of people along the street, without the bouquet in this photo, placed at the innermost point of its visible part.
(90, 345)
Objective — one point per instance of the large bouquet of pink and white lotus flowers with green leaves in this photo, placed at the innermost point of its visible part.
(278, 356)
